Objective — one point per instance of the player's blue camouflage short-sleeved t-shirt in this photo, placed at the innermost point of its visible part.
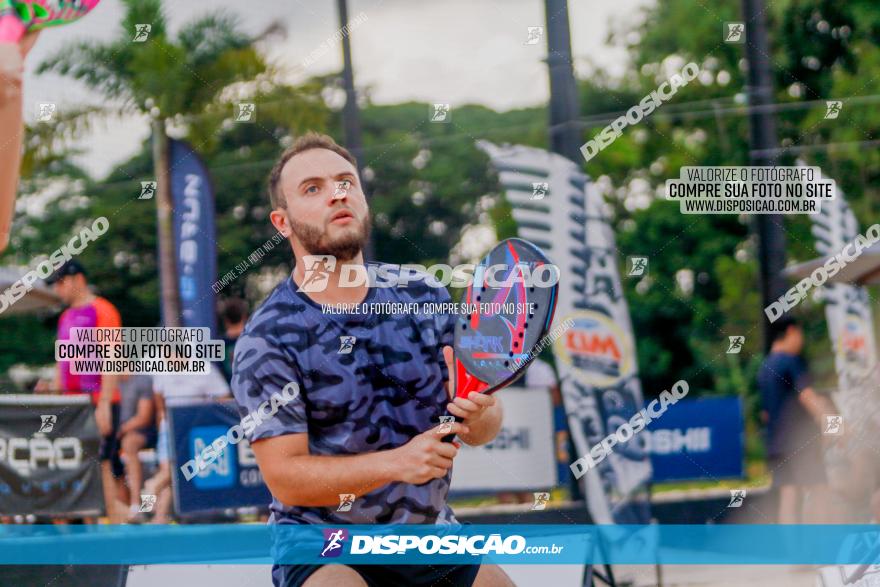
(372, 392)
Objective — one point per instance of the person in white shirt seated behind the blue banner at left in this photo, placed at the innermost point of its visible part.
(175, 389)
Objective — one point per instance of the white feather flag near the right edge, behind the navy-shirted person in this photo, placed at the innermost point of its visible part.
(850, 323)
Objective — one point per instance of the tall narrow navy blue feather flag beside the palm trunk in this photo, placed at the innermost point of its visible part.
(194, 236)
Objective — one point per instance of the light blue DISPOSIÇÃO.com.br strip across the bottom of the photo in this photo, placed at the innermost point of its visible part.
(426, 544)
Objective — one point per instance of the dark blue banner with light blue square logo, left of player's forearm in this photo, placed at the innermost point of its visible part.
(231, 479)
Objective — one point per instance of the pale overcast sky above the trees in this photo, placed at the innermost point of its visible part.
(456, 51)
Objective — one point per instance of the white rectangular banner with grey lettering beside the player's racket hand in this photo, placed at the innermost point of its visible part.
(521, 457)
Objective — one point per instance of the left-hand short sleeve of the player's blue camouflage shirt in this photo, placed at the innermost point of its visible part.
(263, 379)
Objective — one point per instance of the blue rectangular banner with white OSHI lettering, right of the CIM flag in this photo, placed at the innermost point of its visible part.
(697, 439)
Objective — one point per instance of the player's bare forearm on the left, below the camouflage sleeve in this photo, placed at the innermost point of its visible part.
(317, 480)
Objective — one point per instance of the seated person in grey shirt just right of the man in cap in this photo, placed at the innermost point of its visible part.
(137, 432)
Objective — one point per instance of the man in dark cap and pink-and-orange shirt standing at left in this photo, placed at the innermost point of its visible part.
(86, 310)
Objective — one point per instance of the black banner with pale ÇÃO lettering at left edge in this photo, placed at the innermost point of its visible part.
(49, 456)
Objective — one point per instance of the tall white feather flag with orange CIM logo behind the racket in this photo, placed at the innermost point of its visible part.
(558, 208)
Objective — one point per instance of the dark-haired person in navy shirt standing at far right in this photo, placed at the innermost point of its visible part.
(794, 415)
